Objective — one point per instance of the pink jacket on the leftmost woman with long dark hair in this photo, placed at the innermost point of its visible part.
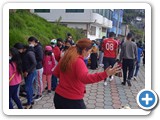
(17, 79)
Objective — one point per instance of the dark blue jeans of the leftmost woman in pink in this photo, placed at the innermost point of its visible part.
(13, 94)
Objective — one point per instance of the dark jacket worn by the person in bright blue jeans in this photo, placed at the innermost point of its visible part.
(29, 60)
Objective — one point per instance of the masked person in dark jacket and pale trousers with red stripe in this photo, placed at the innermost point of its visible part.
(39, 68)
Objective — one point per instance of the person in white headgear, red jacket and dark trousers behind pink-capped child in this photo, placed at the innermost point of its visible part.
(57, 52)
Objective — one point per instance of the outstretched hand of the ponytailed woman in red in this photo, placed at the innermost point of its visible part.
(111, 71)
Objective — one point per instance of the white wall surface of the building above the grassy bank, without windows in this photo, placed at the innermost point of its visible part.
(79, 20)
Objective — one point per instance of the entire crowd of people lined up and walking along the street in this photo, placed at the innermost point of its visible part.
(62, 66)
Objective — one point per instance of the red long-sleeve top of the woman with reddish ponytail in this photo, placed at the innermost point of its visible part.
(72, 83)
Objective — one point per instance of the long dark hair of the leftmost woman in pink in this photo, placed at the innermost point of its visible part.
(17, 59)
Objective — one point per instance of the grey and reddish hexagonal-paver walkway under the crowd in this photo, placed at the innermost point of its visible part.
(98, 96)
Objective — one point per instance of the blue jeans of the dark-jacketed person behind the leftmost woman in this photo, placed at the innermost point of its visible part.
(29, 86)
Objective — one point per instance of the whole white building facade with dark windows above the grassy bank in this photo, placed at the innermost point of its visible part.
(94, 22)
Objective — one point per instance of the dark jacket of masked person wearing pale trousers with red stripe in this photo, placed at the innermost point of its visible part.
(39, 56)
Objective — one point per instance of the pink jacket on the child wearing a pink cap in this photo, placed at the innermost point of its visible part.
(48, 64)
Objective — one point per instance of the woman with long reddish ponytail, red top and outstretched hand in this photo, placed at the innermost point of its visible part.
(73, 75)
